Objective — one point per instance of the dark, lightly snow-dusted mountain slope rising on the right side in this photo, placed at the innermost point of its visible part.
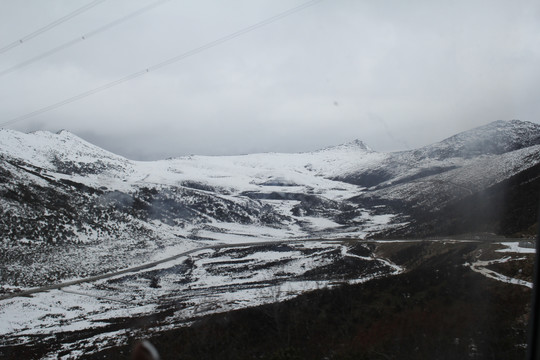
(483, 180)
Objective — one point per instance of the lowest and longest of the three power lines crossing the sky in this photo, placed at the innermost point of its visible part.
(164, 63)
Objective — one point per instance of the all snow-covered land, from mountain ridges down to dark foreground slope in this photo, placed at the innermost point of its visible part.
(290, 223)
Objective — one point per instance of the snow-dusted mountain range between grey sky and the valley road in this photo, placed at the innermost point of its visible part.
(61, 196)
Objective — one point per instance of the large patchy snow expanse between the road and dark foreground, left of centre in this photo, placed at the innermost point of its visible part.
(209, 281)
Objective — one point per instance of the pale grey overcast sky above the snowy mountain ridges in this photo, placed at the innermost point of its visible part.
(395, 74)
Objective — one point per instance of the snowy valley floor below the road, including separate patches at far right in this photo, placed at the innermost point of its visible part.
(89, 316)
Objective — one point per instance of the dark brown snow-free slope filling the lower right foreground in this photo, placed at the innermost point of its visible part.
(439, 309)
